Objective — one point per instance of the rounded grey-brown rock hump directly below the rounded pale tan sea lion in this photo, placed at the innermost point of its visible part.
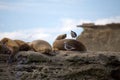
(25, 57)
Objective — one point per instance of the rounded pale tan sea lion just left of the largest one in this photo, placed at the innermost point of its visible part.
(41, 46)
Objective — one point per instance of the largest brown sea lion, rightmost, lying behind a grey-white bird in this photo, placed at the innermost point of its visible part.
(60, 45)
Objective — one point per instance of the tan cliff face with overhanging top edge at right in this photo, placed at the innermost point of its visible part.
(101, 37)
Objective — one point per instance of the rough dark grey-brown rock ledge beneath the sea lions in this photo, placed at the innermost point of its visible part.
(62, 65)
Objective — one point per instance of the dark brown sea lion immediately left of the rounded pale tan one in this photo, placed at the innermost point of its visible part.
(23, 46)
